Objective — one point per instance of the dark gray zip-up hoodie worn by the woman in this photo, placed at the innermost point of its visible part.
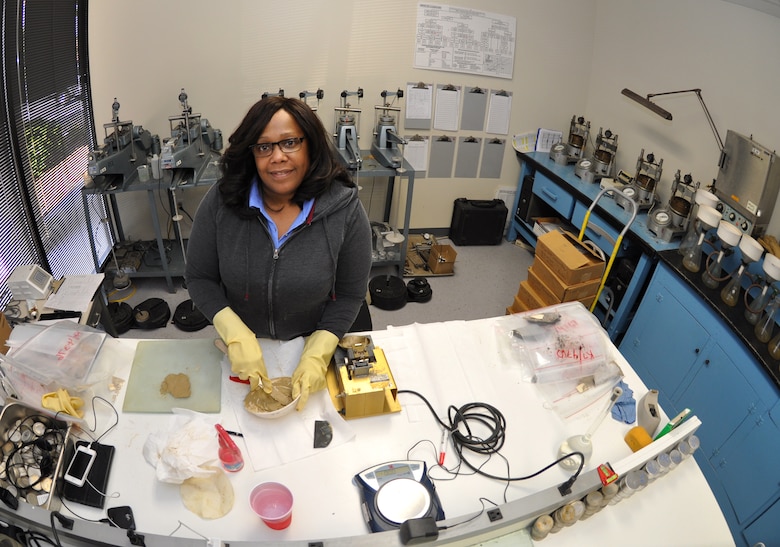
(316, 280)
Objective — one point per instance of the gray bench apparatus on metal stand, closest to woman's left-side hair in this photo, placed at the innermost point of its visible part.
(192, 140)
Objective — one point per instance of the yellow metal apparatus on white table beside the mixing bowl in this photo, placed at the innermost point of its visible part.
(360, 381)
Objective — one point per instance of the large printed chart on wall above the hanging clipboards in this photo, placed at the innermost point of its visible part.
(464, 40)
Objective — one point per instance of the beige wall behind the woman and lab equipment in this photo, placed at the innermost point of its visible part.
(572, 58)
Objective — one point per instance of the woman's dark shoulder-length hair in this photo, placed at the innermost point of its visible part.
(238, 163)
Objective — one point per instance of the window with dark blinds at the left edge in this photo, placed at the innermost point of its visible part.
(46, 133)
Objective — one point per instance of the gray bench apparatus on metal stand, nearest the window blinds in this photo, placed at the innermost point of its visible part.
(125, 148)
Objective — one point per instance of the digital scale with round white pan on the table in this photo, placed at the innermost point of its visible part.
(394, 492)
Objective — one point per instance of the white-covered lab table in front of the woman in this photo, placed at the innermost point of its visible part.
(450, 363)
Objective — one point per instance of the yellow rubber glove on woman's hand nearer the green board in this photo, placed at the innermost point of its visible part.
(244, 353)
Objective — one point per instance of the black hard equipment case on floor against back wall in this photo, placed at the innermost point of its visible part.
(477, 222)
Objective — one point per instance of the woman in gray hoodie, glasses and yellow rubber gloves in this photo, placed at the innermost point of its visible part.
(280, 247)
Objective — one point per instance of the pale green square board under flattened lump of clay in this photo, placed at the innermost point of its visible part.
(155, 359)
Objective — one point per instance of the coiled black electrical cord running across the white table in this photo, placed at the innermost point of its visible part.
(491, 418)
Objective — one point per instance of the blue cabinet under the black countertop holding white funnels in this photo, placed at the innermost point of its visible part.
(680, 346)
